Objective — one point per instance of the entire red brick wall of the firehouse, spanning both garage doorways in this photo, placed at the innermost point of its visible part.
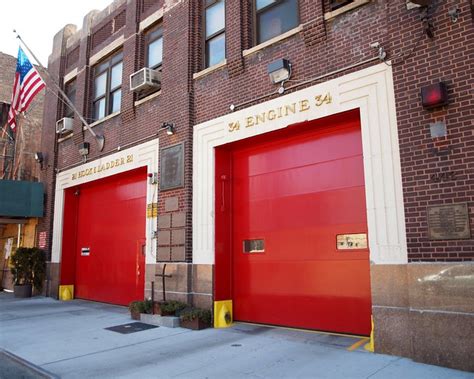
(321, 47)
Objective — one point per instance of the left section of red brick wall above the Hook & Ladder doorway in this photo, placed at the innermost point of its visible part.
(135, 124)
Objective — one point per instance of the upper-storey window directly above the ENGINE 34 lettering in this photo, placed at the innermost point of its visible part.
(275, 17)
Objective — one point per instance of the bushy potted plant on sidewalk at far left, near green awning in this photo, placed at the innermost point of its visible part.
(28, 270)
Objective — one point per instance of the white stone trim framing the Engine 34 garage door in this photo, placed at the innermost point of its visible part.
(371, 91)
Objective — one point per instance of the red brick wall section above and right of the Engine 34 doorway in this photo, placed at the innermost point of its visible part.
(323, 47)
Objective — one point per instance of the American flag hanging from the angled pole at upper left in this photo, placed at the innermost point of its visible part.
(25, 87)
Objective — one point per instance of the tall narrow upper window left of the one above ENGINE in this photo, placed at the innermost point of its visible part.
(215, 32)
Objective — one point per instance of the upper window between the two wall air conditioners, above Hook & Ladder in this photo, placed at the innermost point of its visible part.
(107, 87)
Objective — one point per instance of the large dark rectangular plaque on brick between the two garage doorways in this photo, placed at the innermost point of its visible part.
(172, 167)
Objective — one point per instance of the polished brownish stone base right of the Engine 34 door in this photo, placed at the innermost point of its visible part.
(425, 311)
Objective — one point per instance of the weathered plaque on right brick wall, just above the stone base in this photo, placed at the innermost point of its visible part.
(448, 222)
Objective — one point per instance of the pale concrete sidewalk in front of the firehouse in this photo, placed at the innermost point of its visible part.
(69, 339)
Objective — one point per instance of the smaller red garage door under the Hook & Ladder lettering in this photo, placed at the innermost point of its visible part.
(111, 223)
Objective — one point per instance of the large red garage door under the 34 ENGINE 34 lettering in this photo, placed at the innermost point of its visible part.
(291, 199)
